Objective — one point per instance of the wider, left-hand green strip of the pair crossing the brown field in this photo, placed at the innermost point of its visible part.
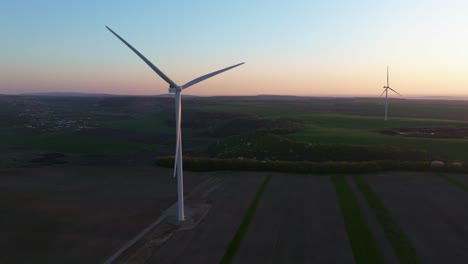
(364, 247)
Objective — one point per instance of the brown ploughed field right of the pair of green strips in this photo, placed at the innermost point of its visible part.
(429, 210)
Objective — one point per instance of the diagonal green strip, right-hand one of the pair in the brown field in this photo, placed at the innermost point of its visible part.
(402, 246)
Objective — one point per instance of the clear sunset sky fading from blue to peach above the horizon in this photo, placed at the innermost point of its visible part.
(302, 47)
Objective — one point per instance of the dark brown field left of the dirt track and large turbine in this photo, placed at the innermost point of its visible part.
(80, 214)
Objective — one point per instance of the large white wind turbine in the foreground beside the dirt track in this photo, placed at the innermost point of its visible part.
(176, 89)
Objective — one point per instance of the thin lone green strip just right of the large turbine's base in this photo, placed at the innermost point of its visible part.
(242, 229)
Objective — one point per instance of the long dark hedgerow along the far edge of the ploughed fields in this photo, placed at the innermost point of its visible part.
(213, 164)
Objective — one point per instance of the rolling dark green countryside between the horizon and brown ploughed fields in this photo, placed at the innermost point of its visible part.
(297, 128)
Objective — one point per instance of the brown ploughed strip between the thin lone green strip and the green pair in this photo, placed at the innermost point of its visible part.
(298, 221)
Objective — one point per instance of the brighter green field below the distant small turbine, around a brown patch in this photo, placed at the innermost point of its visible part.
(342, 129)
